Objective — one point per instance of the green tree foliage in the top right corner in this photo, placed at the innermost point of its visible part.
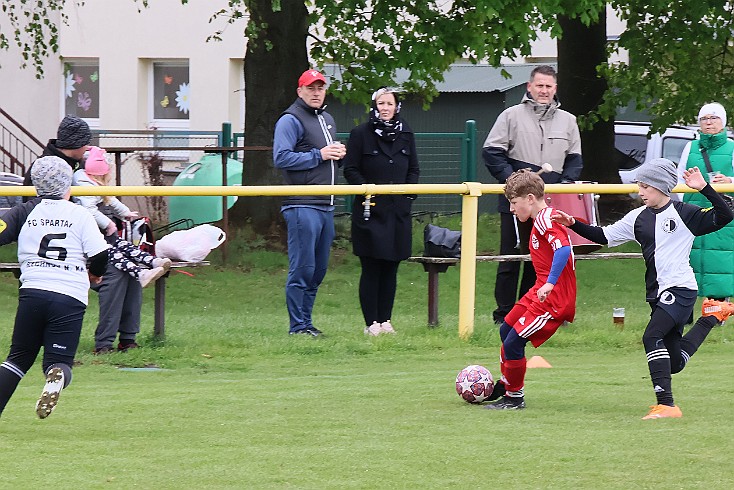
(680, 58)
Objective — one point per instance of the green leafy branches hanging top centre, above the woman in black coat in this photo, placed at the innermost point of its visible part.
(372, 41)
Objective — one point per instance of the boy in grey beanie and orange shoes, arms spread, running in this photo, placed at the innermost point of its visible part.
(665, 230)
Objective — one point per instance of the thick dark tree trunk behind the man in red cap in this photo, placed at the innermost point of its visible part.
(276, 56)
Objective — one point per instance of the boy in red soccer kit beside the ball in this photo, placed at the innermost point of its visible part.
(549, 303)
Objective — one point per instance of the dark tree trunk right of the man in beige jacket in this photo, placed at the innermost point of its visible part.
(580, 89)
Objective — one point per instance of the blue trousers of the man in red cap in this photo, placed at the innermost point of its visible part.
(310, 233)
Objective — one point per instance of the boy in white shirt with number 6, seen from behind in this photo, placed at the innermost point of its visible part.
(56, 238)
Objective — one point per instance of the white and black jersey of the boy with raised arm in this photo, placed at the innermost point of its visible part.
(666, 236)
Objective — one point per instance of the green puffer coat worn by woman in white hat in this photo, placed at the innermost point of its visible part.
(712, 256)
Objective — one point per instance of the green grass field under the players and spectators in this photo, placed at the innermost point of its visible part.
(229, 400)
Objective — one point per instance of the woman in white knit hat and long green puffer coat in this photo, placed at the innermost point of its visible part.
(712, 256)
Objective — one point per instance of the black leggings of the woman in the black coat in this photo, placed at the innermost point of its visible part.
(377, 286)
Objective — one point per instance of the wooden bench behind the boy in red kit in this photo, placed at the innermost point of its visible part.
(436, 265)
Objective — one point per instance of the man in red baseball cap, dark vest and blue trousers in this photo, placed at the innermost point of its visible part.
(306, 150)
